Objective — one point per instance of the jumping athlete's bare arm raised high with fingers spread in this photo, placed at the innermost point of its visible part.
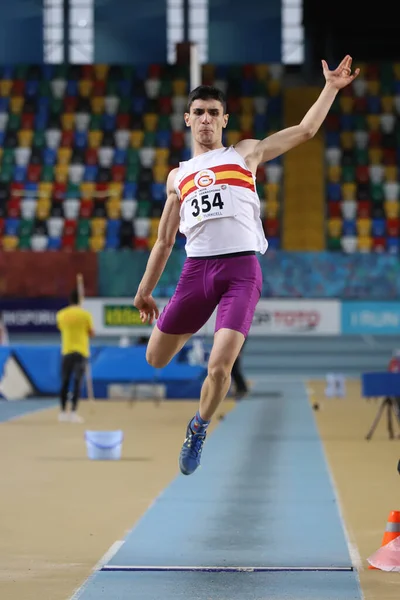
(256, 152)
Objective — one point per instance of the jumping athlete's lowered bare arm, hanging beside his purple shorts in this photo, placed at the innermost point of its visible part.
(159, 255)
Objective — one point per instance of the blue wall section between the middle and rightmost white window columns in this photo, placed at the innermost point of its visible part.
(244, 32)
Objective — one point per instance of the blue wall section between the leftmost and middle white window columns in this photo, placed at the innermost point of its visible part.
(130, 32)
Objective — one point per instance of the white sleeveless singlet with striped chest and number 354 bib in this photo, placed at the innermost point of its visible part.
(220, 207)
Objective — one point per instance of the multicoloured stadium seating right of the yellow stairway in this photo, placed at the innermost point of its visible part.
(362, 160)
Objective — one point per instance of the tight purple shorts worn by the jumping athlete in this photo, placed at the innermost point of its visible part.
(233, 284)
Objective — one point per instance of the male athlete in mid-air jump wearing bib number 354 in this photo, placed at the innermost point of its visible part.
(212, 199)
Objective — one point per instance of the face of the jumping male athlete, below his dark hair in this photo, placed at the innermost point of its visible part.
(207, 120)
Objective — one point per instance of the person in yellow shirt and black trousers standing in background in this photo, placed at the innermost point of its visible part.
(76, 327)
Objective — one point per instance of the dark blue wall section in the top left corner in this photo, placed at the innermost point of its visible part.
(21, 31)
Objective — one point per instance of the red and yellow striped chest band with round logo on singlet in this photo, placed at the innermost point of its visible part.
(223, 174)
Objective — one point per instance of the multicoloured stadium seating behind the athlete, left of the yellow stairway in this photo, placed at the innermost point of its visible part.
(85, 150)
